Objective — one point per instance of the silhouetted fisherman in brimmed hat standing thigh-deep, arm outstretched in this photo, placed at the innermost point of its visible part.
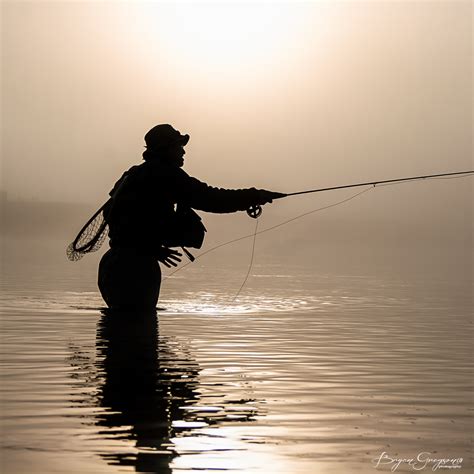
(151, 212)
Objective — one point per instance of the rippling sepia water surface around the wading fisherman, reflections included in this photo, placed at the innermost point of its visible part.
(305, 372)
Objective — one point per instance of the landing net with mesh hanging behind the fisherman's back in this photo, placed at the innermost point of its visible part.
(90, 238)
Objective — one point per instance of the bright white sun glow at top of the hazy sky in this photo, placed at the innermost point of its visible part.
(223, 37)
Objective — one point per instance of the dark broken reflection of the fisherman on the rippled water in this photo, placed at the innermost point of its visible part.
(148, 389)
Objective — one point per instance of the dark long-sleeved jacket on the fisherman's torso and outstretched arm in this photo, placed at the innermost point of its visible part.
(144, 204)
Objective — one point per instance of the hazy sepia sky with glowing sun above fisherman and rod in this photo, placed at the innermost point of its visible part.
(354, 91)
